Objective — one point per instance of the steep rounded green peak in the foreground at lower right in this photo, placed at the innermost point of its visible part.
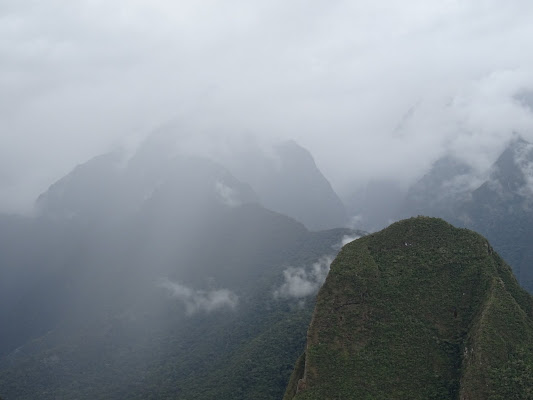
(420, 310)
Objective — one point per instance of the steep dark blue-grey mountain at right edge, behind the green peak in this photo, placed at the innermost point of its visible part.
(502, 209)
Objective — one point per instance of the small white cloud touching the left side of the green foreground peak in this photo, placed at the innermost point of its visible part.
(302, 282)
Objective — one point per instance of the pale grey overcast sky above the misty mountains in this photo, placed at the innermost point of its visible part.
(372, 88)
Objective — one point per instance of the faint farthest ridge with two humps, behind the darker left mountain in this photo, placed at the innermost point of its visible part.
(283, 178)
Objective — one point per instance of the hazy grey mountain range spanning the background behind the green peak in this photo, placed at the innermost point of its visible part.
(167, 274)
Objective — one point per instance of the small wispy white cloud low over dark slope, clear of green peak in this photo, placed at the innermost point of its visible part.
(199, 300)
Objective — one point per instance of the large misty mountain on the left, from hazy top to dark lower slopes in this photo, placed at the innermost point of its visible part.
(158, 276)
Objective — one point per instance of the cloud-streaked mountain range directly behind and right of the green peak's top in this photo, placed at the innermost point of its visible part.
(496, 203)
